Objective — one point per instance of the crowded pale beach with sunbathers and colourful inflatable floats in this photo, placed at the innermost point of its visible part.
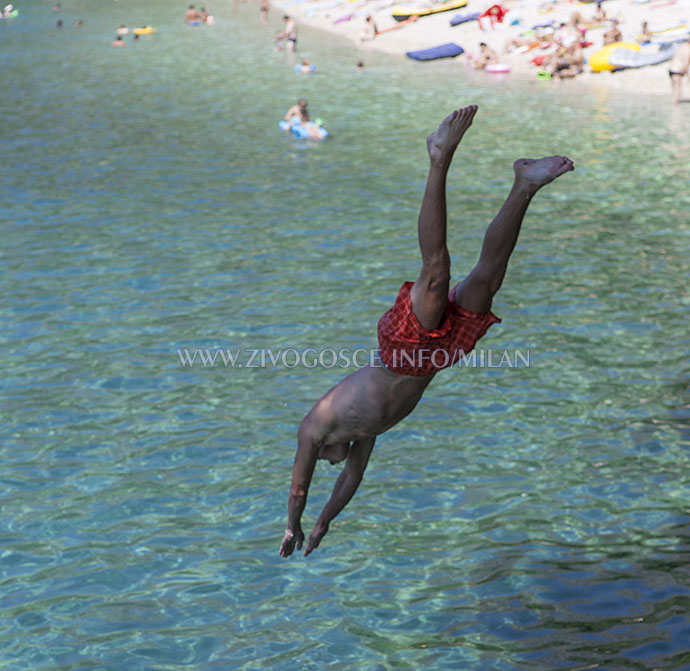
(641, 42)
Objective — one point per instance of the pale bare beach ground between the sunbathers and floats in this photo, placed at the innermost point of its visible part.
(434, 30)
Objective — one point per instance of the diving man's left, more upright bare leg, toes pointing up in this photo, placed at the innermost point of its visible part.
(430, 292)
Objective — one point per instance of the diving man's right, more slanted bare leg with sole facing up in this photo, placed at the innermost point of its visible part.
(477, 290)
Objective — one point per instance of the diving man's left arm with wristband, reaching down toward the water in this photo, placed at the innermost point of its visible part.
(305, 461)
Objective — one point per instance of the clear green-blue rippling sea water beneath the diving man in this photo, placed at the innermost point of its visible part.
(522, 518)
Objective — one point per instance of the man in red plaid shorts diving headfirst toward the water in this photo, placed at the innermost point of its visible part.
(423, 332)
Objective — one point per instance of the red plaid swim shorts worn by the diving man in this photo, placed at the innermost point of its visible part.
(409, 349)
